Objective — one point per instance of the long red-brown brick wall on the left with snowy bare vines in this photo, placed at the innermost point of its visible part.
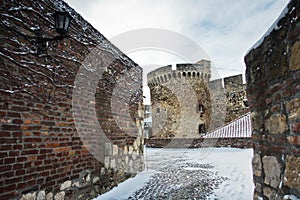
(43, 149)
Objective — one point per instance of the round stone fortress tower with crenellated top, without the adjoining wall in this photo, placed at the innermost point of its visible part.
(181, 101)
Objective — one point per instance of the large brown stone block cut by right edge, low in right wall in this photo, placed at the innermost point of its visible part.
(292, 172)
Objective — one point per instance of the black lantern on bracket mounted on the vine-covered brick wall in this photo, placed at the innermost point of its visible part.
(62, 22)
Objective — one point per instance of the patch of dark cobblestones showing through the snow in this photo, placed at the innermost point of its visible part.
(178, 179)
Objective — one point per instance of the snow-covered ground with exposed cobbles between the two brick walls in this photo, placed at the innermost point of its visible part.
(206, 173)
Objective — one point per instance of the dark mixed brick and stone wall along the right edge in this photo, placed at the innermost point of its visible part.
(273, 74)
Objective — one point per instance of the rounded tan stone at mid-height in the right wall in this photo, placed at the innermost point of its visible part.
(276, 124)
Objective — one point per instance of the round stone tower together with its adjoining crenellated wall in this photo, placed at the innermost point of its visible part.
(186, 104)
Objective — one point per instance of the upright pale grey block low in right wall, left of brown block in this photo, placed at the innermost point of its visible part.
(272, 171)
